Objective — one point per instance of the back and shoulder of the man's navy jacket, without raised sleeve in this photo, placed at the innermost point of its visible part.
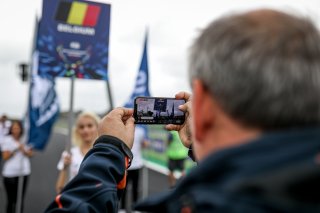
(279, 172)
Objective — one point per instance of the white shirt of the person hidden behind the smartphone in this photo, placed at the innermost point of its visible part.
(139, 136)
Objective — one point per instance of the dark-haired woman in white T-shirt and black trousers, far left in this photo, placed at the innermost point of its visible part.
(16, 164)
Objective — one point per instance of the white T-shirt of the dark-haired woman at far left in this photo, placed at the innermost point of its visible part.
(18, 164)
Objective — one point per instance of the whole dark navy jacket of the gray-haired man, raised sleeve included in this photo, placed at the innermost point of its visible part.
(278, 172)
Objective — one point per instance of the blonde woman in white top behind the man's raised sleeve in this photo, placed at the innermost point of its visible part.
(85, 132)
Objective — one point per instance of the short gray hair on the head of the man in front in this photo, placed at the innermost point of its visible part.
(262, 67)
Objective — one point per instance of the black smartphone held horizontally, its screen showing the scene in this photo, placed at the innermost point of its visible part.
(157, 110)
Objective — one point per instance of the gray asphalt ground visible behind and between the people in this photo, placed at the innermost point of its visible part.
(41, 186)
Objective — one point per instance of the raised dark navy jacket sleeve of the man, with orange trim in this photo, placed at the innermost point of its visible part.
(99, 184)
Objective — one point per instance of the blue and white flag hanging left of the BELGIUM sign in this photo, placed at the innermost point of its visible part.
(43, 108)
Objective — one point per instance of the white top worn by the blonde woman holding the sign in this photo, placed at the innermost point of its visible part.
(76, 159)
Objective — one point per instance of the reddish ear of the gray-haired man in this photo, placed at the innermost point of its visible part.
(203, 110)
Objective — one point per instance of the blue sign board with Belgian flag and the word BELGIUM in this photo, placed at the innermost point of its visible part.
(74, 39)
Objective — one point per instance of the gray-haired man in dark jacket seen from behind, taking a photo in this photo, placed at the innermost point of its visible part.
(253, 124)
